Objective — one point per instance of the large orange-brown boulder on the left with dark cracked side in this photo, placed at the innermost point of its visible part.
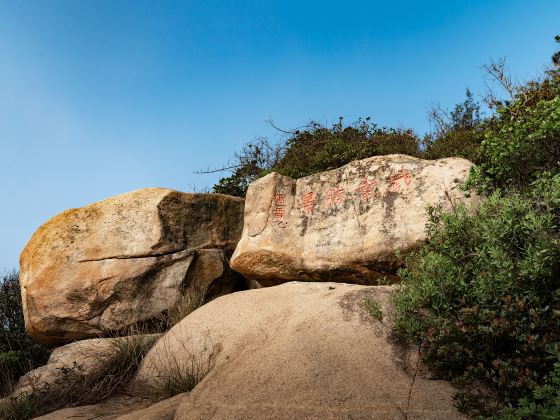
(126, 259)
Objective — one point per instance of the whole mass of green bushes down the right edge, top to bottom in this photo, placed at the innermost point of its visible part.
(482, 296)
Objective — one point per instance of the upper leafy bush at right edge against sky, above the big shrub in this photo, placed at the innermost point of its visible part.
(523, 138)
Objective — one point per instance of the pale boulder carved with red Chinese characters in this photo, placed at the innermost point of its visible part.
(346, 224)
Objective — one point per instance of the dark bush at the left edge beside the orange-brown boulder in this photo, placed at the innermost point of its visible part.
(18, 352)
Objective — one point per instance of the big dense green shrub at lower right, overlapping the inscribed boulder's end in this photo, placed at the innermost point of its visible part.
(482, 295)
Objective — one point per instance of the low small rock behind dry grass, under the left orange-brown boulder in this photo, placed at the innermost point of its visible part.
(86, 358)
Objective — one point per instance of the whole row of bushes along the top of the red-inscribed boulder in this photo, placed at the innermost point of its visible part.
(316, 148)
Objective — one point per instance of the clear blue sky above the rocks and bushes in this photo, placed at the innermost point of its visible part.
(103, 97)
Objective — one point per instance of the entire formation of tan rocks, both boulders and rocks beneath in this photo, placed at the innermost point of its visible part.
(313, 348)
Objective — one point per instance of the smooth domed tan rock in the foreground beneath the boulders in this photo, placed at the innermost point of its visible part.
(298, 350)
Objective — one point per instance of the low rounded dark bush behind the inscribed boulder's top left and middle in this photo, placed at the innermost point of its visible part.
(314, 149)
